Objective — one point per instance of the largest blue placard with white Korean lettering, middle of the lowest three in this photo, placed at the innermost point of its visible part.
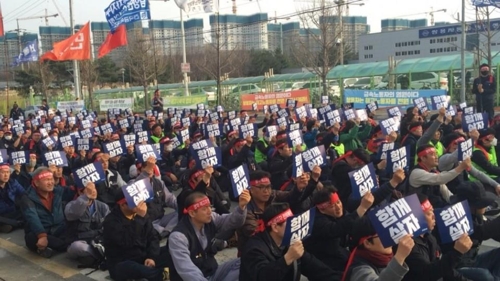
(401, 217)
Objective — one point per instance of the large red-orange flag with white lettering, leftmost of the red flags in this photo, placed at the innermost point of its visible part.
(76, 47)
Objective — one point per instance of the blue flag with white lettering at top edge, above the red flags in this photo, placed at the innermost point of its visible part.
(126, 11)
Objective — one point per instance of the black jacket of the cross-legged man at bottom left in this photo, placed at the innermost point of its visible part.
(129, 240)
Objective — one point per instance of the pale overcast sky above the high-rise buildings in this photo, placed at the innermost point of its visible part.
(93, 10)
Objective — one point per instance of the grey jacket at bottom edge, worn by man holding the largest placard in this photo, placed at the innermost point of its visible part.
(393, 272)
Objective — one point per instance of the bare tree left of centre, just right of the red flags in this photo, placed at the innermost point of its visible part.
(142, 60)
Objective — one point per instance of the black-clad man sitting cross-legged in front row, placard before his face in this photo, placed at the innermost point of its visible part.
(131, 243)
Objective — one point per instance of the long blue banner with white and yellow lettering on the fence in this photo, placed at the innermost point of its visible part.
(388, 98)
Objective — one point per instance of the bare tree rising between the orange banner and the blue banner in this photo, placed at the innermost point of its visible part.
(317, 49)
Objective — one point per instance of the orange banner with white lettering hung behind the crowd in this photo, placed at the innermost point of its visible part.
(247, 100)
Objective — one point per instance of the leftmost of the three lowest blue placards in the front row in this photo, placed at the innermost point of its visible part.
(299, 227)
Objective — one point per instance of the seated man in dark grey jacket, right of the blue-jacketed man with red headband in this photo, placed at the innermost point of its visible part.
(84, 217)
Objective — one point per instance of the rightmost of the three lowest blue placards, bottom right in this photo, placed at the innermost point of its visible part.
(454, 221)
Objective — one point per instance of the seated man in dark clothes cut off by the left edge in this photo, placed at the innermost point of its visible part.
(10, 192)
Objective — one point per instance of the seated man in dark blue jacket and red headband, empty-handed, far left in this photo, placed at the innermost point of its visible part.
(42, 209)
